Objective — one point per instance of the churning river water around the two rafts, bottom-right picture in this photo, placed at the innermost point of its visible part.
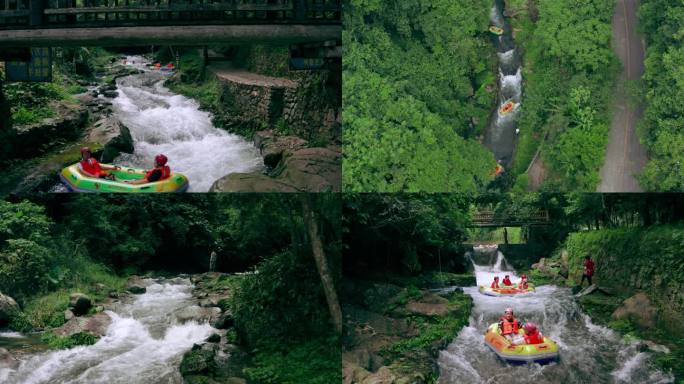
(589, 353)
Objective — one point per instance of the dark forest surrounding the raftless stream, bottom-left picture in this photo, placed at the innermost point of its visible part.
(57, 244)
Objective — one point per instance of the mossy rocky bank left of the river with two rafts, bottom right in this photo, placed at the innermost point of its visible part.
(395, 330)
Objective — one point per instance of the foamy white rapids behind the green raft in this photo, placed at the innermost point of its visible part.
(163, 122)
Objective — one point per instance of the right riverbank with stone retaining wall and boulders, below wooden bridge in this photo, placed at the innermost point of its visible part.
(295, 124)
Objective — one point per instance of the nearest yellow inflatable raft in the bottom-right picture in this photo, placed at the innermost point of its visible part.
(543, 353)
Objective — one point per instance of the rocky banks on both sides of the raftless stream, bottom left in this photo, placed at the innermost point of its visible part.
(215, 360)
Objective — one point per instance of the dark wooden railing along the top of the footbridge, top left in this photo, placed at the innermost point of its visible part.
(16, 14)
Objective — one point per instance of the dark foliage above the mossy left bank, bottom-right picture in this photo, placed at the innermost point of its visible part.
(407, 233)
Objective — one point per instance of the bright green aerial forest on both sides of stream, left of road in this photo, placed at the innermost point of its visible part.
(419, 88)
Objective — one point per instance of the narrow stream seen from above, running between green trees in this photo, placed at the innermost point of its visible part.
(500, 137)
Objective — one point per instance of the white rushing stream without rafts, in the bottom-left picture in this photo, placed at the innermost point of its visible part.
(144, 344)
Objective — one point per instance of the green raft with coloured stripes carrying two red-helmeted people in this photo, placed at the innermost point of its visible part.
(76, 181)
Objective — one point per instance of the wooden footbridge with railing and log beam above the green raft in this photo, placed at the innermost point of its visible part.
(25, 23)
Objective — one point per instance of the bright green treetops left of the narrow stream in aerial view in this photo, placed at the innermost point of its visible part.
(408, 129)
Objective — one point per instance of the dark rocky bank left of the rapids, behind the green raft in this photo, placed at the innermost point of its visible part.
(43, 148)
